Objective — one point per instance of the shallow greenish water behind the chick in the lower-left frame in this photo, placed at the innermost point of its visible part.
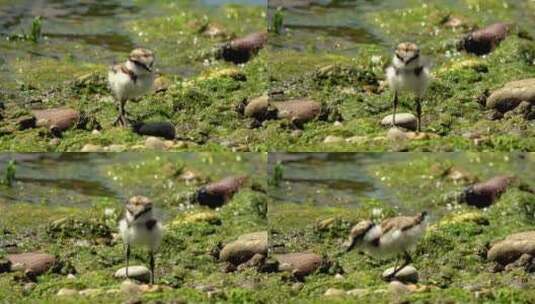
(76, 179)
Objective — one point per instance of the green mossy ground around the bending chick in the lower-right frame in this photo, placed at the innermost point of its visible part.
(451, 257)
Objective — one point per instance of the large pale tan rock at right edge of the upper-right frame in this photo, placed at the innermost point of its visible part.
(512, 94)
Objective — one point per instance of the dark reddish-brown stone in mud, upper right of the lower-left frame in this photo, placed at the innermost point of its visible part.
(217, 193)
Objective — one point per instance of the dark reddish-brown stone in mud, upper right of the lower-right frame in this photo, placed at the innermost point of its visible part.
(485, 193)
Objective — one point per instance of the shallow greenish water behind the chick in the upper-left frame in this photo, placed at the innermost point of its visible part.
(84, 32)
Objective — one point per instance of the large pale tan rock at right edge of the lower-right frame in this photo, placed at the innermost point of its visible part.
(515, 245)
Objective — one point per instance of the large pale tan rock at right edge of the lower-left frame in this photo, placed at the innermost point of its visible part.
(245, 247)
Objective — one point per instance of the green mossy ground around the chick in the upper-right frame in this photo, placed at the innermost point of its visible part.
(450, 107)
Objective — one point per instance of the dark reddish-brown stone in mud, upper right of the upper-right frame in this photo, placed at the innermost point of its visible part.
(485, 40)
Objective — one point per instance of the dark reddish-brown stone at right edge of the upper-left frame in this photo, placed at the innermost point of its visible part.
(241, 50)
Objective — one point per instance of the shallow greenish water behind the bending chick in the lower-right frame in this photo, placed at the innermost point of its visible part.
(347, 179)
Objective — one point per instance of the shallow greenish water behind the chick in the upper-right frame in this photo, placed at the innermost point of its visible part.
(340, 26)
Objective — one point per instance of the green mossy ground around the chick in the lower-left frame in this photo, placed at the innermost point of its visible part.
(183, 263)
